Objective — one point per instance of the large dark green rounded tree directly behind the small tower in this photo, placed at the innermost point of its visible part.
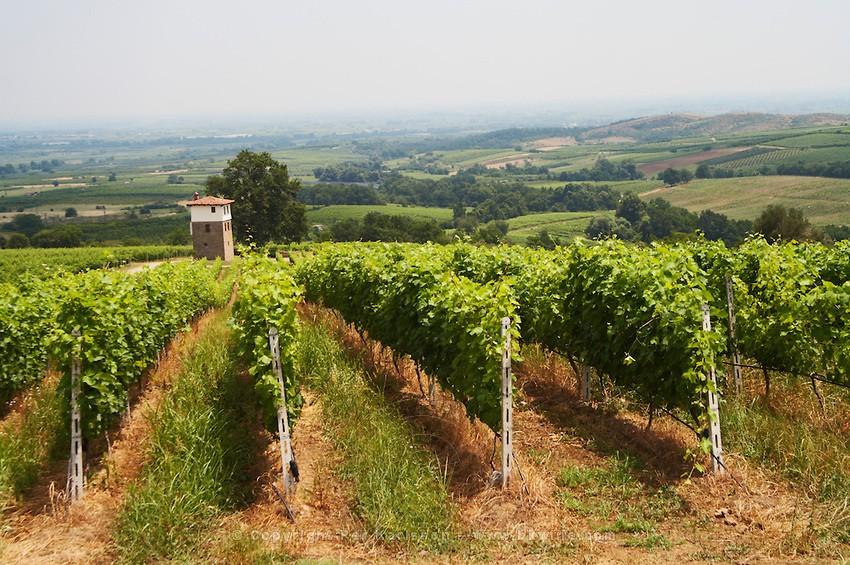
(265, 208)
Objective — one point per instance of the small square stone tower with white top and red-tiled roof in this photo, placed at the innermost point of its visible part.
(211, 228)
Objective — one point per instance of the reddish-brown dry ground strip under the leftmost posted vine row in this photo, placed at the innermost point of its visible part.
(45, 530)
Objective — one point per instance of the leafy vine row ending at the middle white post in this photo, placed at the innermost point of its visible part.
(407, 298)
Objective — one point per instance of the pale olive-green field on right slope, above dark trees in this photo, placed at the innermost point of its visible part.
(824, 201)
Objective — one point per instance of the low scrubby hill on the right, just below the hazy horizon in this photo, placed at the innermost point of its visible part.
(670, 126)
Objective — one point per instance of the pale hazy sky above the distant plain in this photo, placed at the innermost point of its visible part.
(80, 59)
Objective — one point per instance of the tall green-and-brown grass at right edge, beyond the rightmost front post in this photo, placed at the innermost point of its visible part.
(797, 440)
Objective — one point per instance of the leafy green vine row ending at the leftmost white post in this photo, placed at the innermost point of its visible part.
(124, 321)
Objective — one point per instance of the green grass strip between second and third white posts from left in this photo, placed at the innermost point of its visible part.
(399, 492)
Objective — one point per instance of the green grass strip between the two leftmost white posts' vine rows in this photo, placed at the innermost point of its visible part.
(194, 469)
